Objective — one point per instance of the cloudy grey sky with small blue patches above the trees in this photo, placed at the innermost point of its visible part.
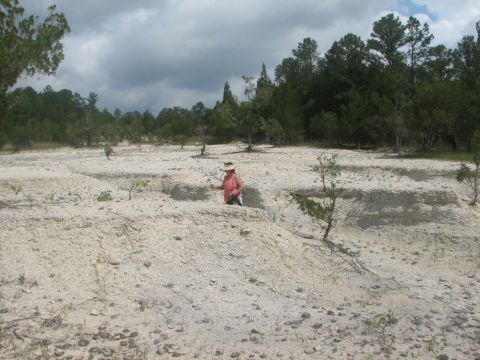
(150, 54)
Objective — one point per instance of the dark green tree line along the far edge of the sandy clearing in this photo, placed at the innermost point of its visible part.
(393, 89)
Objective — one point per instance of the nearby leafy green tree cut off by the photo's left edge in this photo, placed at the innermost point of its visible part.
(27, 46)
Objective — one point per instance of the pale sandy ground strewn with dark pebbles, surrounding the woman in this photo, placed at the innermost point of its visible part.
(173, 272)
